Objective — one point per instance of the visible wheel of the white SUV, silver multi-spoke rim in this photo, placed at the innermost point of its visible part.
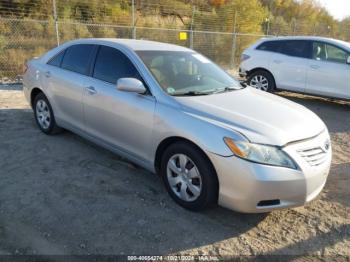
(262, 80)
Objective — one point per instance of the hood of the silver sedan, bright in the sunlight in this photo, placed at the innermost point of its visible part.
(261, 117)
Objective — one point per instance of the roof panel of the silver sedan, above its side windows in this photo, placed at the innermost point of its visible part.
(136, 45)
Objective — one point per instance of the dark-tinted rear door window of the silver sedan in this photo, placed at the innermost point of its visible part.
(77, 58)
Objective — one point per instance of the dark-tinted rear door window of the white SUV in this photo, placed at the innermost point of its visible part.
(296, 48)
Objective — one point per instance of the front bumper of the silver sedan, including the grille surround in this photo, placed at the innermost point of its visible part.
(254, 188)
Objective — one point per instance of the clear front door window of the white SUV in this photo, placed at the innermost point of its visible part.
(327, 52)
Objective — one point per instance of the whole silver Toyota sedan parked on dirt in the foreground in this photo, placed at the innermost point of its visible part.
(174, 112)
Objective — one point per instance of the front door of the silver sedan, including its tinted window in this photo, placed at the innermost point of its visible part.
(123, 120)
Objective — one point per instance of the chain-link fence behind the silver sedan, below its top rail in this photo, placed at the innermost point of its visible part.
(24, 39)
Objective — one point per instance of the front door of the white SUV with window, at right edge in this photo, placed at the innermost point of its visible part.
(328, 73)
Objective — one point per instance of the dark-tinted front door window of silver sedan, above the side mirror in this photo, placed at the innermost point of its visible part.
(111, 64)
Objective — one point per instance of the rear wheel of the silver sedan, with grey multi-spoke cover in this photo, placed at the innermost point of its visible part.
(44, 115)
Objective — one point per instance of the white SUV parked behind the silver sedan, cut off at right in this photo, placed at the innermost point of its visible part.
(313, 65)
